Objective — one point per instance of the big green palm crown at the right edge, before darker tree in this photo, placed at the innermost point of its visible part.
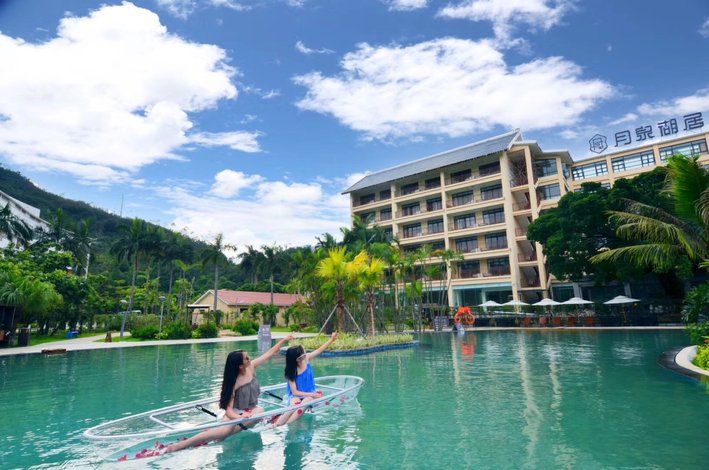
(666, 238)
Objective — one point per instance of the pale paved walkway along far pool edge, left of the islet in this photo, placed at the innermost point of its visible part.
(90, 342)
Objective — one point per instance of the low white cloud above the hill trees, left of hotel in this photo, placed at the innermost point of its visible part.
(287, 213)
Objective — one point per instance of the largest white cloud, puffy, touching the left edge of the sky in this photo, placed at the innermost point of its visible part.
(111, 92)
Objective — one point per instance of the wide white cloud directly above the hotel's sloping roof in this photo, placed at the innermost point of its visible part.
(450, 87)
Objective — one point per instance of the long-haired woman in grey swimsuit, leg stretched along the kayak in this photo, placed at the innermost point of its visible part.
(239, 396)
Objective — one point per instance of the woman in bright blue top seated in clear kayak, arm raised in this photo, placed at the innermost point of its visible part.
(300, 386)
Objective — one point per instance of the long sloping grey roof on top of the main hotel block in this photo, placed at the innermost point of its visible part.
(432, 162)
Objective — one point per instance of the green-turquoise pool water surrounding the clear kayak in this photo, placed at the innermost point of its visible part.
(488, 399)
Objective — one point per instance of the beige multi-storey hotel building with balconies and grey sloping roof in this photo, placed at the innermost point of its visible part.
(479, 200)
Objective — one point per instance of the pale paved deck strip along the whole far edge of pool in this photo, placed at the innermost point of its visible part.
(90, 342)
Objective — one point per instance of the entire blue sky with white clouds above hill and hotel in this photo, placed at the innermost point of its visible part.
(249, 118)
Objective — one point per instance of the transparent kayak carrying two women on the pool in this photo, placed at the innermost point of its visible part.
(203, 414)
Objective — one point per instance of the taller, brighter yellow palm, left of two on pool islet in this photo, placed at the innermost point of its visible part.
(339, 270)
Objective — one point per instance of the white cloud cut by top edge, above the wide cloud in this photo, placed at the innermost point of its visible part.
(506, 15)
